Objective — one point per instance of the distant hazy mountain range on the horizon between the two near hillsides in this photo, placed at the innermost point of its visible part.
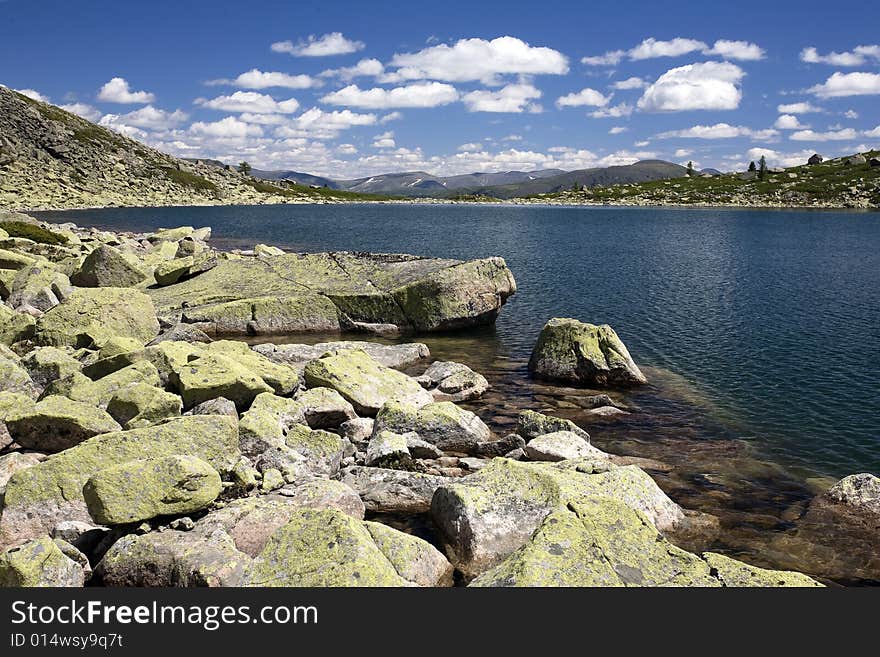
(507, 184)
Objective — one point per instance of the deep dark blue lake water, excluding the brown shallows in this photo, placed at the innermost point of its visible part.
(773, 316)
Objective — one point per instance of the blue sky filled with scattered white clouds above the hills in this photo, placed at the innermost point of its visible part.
(352, 89)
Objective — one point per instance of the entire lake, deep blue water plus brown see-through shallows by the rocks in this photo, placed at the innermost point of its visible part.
(759, 330)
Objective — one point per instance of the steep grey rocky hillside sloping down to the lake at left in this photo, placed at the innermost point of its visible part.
(52, 159)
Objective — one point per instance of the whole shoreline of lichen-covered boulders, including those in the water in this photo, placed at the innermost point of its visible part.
(139, 446)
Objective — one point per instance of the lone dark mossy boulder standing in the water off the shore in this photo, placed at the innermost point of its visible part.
(576, 352)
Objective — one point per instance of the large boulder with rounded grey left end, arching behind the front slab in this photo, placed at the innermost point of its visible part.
(486, 516)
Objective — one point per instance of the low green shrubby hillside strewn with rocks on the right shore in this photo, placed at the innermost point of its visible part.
(845, 182)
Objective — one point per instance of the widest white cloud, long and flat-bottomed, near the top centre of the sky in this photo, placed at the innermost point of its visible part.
(478, 59)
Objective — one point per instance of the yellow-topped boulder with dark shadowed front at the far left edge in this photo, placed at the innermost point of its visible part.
(57, 423)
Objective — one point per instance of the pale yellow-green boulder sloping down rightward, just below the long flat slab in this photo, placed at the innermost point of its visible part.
(366, 384)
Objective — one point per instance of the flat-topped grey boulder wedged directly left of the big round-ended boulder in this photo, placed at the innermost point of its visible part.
(393, 491)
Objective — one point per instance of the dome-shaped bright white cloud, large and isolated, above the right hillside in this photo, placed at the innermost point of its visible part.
(707, 86)
